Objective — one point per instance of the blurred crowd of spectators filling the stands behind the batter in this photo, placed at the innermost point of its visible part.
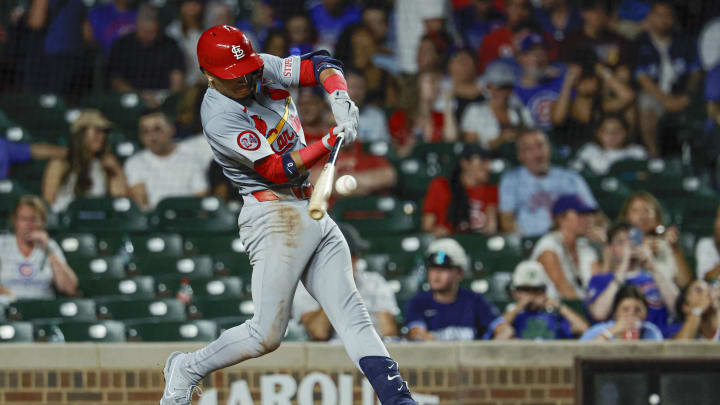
(587, 130)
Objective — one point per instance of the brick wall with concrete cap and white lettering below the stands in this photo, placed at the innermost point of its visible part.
(510, 373)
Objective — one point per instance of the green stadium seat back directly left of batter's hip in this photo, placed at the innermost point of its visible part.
(193, 215)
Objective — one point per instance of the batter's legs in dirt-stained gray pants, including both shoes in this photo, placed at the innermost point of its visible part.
(286, 246)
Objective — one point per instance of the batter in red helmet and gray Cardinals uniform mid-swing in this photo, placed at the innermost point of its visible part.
(252, 125)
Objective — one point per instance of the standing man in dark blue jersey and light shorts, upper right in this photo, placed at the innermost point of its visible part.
(667, 70)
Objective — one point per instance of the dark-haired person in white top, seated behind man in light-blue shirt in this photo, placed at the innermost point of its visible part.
(610, 145)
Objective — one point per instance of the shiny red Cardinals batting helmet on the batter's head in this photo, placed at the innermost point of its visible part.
(226, 52)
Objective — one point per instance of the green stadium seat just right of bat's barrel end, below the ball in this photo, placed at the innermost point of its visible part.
(374, 215)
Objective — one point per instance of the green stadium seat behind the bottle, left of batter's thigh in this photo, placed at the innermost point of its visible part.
(221, 287)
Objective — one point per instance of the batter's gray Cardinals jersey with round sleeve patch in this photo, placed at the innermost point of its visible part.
(241, 134)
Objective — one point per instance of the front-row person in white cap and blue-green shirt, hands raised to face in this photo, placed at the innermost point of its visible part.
(536, 316)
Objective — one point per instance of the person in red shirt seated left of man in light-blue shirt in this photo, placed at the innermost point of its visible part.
(465, 202)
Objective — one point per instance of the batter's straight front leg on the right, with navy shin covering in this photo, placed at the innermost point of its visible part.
(329, 280)
